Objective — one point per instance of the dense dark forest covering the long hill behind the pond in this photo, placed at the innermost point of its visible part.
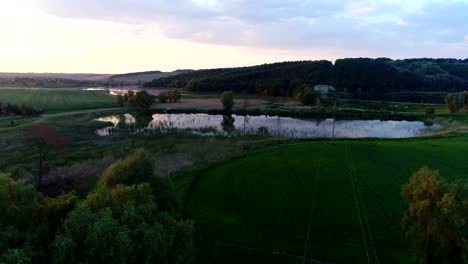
(408, 80)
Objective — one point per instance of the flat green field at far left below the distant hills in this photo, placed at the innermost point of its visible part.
(56, 99)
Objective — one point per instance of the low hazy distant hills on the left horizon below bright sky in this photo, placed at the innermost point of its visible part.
(57, 80)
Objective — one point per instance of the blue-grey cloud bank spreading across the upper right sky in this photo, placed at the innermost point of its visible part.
(368, 27)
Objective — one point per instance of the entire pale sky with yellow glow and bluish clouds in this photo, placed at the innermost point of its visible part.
(118, 36)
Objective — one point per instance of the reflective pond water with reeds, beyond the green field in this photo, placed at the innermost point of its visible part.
(204, 124)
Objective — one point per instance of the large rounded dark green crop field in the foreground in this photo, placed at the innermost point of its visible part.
(330, 201)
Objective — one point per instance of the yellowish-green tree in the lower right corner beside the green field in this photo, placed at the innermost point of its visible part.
(436, 218)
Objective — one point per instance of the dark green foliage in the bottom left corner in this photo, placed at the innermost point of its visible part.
(28, 220)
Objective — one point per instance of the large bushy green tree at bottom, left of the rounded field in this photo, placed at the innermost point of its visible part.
(123, 225)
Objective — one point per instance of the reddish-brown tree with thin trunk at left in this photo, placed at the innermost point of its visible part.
(44, 138)
